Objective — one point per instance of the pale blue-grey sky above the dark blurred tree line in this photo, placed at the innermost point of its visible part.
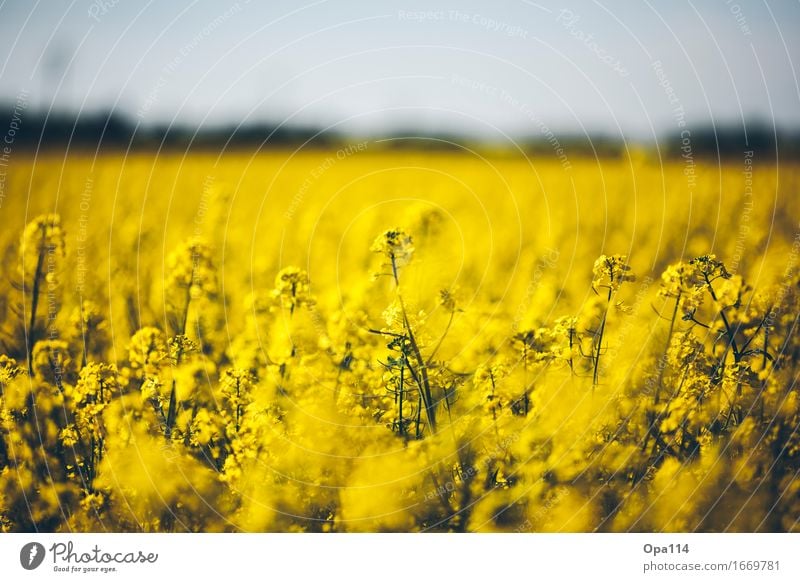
(631, 69)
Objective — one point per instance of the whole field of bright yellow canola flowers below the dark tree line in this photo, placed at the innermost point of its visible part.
(370, 340)
